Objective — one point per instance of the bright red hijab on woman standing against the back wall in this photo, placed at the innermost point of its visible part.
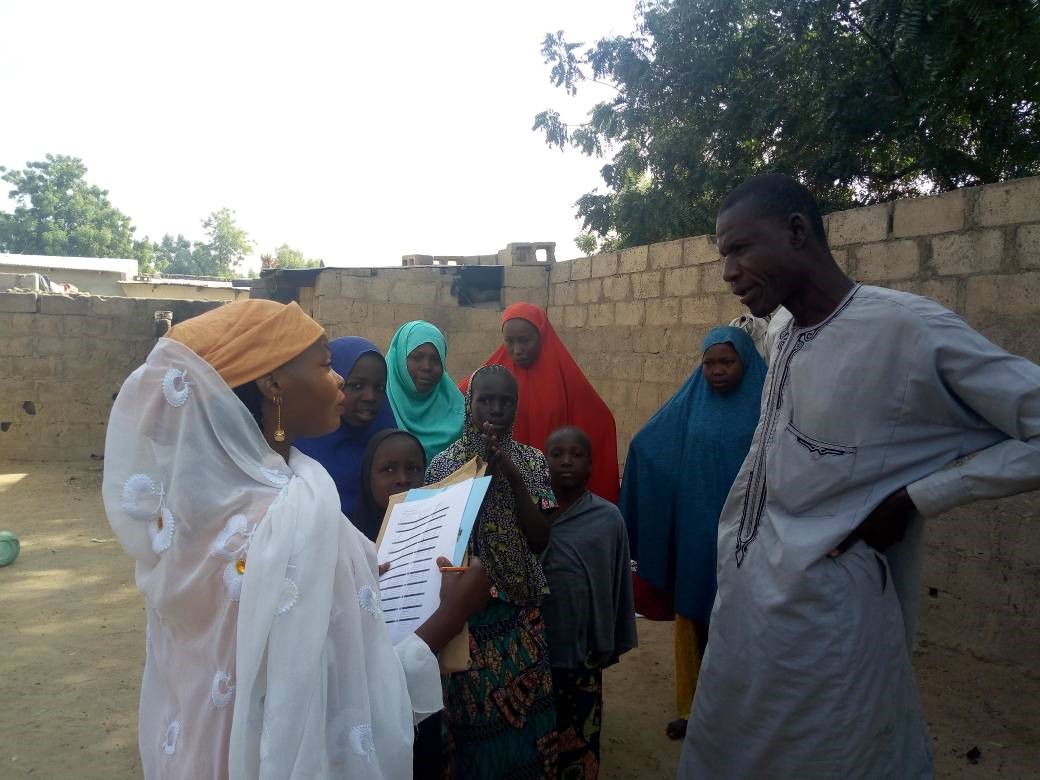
(554, 394)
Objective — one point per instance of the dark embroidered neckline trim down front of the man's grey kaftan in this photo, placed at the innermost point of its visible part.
(755, 498)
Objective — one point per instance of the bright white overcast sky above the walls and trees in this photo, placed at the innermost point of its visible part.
(357, 134)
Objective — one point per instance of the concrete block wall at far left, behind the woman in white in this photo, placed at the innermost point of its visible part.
(63, 358)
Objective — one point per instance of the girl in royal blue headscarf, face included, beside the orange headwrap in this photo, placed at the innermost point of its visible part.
(367, 412)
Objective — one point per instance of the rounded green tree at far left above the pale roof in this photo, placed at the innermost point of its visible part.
(58, 213)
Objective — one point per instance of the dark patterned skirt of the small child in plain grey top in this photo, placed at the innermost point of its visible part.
(579, 694)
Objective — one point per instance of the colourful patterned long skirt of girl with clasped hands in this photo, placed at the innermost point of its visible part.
(499, 716)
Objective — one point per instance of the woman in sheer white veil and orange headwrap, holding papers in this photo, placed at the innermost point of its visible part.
(267, 653)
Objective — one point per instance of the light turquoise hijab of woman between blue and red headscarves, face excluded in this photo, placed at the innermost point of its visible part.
(437, 418)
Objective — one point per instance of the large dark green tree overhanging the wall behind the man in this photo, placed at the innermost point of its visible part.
(863, 100)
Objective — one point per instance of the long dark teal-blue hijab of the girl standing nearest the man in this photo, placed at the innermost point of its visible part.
(680, 471)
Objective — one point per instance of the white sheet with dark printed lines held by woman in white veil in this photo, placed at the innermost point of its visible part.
(415, 535)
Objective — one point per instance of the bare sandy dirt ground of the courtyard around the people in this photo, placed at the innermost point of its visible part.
(72, 641)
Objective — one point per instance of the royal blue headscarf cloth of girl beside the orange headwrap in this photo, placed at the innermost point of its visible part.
(343, 452)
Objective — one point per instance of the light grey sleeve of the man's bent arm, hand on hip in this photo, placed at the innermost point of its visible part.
(1003, 389)
